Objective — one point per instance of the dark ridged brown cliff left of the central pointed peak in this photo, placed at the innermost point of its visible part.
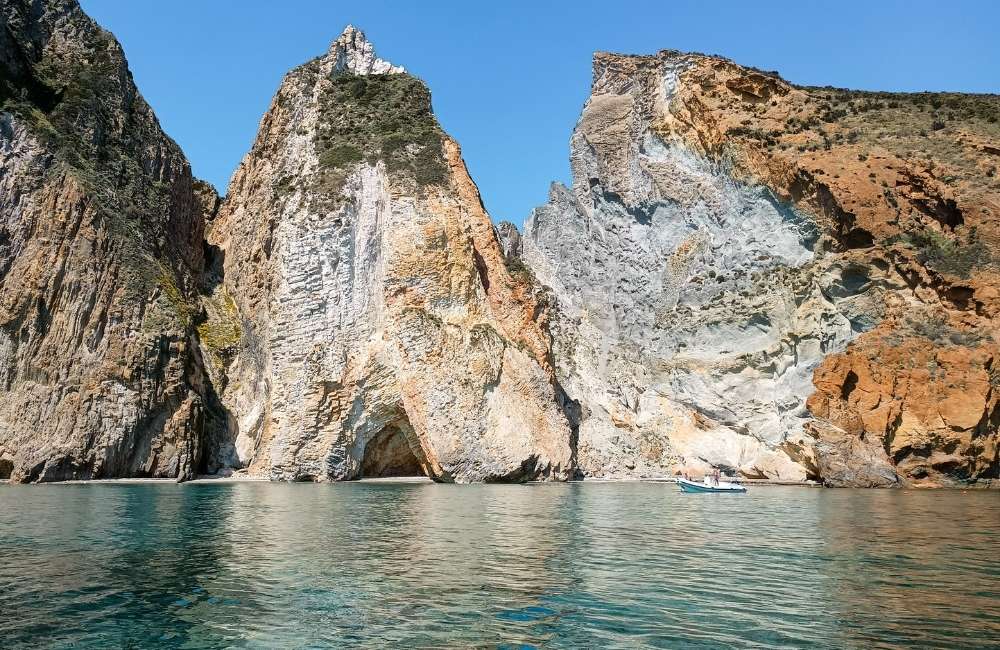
(100, 252)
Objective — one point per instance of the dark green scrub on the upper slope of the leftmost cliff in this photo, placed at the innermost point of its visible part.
(105, 137)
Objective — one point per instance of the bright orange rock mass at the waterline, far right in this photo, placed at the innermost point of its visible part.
(933, 405)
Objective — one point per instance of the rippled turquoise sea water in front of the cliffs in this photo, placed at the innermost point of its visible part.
(565, 566)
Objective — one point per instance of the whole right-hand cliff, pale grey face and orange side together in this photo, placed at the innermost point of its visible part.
(784, 281)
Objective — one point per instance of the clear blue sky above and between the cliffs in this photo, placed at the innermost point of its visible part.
(509, 78)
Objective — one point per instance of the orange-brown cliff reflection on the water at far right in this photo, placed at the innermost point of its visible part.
(905, 561)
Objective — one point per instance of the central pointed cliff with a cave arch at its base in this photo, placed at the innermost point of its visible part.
(366, 322)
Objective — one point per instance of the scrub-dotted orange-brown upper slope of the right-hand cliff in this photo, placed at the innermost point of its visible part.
(899, 162)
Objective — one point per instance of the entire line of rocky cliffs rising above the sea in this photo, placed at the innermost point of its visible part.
(779, 281)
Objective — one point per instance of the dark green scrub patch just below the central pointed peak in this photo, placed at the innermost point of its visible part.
(379, 117)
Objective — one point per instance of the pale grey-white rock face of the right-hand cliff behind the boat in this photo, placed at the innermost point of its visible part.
(692, 308)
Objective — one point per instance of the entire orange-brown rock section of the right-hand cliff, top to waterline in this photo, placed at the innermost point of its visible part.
(903, 186)
